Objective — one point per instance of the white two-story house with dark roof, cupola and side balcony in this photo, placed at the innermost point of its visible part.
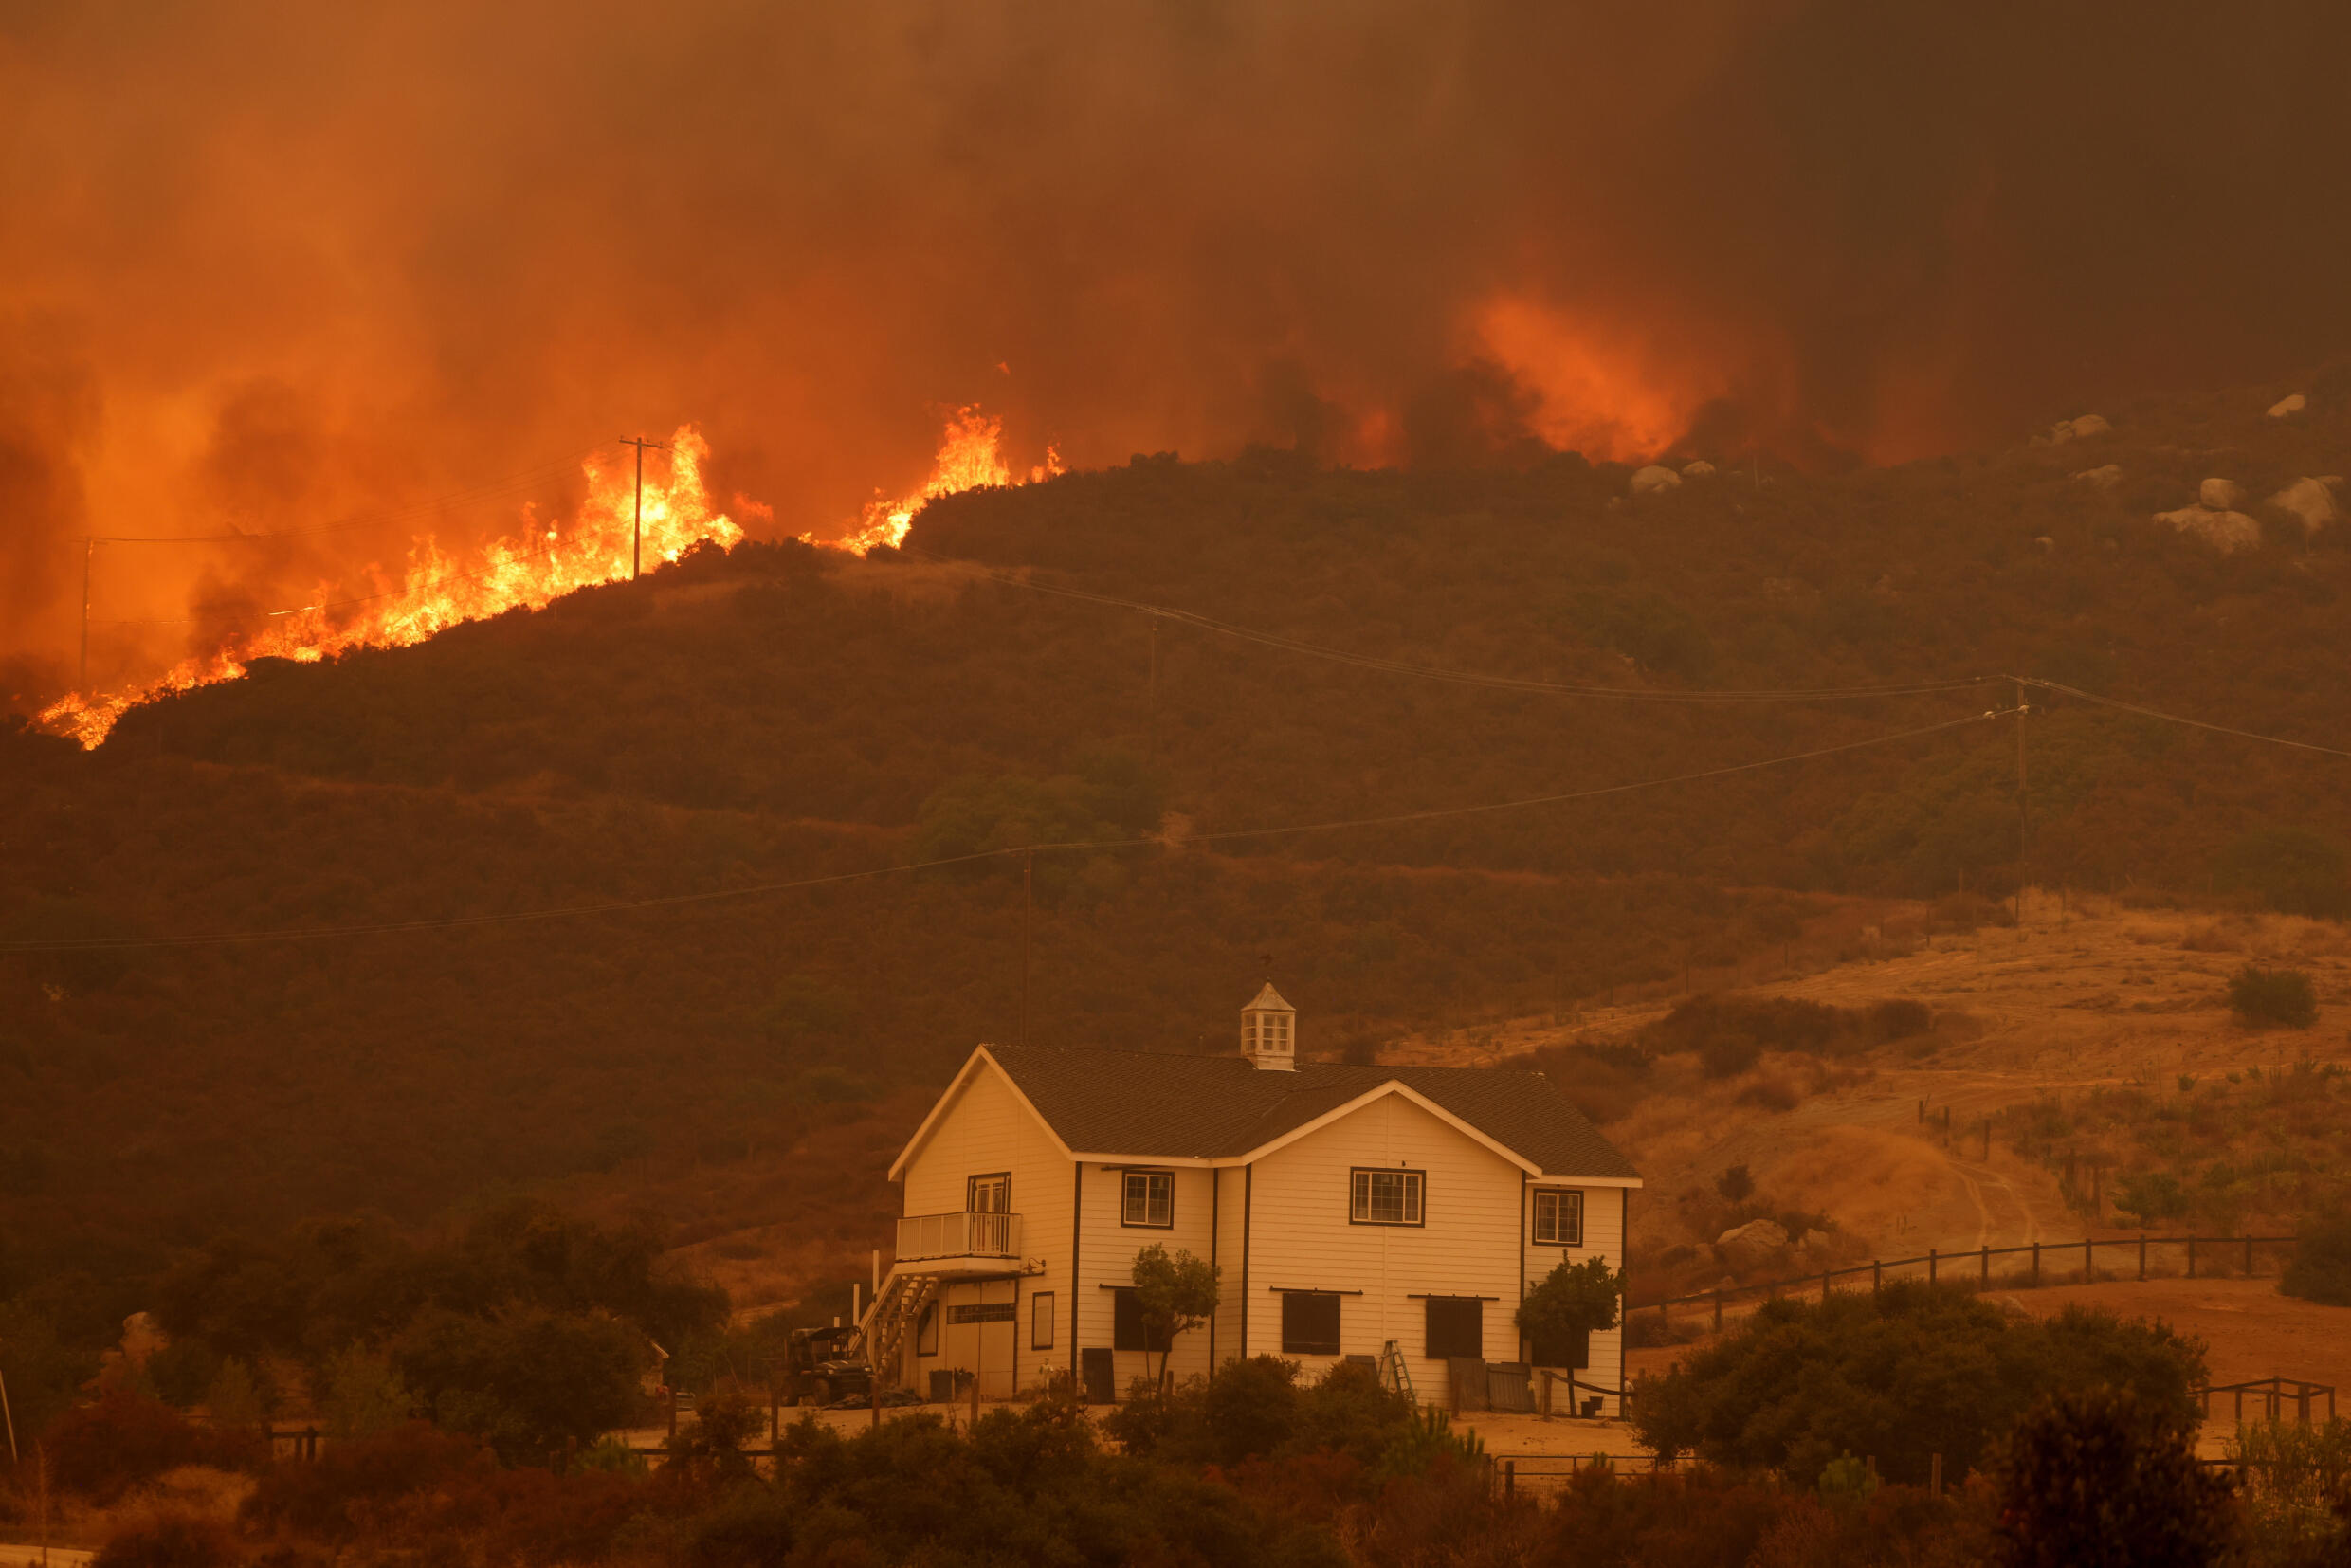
(1395, 1214)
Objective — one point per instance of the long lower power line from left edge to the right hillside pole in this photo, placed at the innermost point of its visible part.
(761, 890)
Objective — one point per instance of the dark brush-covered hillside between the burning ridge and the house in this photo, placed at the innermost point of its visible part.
(782, 713)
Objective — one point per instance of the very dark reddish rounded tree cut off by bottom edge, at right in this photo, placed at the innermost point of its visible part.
(2101, 1480)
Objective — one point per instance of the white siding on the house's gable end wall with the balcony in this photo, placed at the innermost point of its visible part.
(984, 1132)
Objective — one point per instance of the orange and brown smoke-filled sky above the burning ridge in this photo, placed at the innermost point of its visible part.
(283, 264)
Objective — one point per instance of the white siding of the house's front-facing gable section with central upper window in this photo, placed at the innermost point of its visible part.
(1468, 1242)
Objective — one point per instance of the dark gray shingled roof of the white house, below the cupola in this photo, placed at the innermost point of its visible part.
(1219, 1106)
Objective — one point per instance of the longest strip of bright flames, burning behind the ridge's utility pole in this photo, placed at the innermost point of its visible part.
(438, 589)
